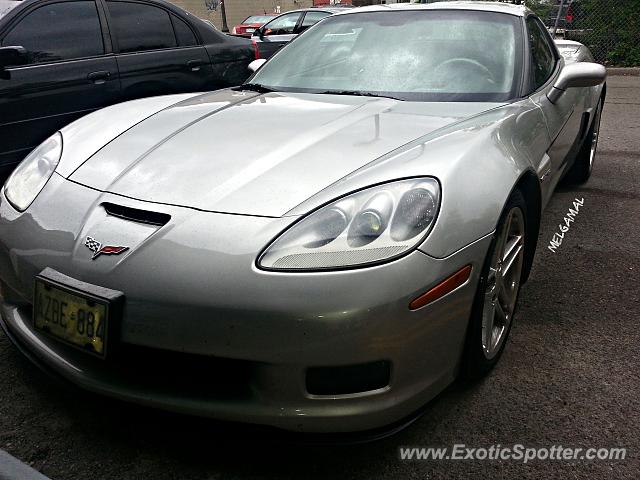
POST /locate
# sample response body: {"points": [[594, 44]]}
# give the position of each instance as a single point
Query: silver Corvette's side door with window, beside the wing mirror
{"points": [[564, 118]]}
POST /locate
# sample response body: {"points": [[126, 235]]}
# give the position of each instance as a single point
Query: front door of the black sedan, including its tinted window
{"points": [[69, 72]]}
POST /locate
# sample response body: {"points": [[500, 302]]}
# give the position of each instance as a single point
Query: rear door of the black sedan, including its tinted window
{"points": [[157, 52]]}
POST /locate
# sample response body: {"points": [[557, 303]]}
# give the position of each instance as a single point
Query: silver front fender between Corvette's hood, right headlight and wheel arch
{"points": [[478, 163]]}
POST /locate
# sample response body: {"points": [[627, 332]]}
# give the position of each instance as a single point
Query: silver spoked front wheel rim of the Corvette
{"points": [[503, 282]]}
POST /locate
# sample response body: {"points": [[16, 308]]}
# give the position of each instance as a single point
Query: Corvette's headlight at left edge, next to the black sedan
{"points": [[32, 174]]}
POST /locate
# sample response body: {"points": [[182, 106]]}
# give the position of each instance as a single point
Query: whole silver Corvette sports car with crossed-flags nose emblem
{"points": [[323, 248]]}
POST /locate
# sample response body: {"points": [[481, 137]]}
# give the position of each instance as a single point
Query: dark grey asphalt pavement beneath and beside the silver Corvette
{"points": [[570, 375]]}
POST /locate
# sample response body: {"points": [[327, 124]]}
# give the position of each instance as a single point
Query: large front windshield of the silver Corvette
{"points": [[441, 55]]}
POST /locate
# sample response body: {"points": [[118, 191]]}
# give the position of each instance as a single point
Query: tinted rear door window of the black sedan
{"points": [[141, 27]]}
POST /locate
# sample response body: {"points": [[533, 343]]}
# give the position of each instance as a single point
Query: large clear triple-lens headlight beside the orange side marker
{"points": [[367, 227]]}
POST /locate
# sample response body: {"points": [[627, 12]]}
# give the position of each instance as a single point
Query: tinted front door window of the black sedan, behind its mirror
{"points": [[59, 31]]}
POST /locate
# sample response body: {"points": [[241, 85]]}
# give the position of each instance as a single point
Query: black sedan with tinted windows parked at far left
{"points": [[61, 59]]}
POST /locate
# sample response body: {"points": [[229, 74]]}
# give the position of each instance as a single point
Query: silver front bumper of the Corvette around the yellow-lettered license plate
{"points": [[205, 332]]}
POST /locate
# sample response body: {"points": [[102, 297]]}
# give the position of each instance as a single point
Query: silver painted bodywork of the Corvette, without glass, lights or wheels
{"points": [[192, 285]]}
